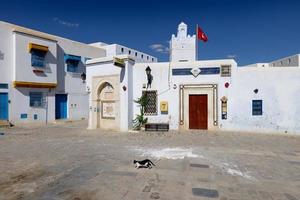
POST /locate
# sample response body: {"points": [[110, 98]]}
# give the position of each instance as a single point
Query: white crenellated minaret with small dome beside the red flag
{"points": [[182, 46]]}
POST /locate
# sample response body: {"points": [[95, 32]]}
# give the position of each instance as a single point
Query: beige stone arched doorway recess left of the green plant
{"points": [[106, 110]]}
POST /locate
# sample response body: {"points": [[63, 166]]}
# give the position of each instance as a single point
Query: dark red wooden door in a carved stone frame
{"points": [[198, 111]]}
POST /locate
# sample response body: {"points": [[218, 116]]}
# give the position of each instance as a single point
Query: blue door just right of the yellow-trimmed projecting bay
{"points": [[61, 106]]}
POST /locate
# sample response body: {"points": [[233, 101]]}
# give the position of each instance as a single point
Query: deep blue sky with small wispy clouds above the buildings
{"points": [[249, 31]]}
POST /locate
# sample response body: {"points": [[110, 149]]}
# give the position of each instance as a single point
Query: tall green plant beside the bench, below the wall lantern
{"points": [[140, 120]]}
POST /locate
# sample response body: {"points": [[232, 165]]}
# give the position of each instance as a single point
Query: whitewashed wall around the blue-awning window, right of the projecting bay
{"points": [[71, 83]]}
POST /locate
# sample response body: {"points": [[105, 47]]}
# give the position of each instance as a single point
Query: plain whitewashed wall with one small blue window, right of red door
{"points": [[279, 88]]}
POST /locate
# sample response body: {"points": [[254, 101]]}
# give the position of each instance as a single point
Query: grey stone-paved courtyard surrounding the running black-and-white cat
{"points": [[66, 161]]}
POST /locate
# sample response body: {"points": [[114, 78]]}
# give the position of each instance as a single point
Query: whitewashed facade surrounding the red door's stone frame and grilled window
{"points": [[166, 91]]}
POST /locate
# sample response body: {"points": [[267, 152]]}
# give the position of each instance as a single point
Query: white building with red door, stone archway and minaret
{"points": [[194, 94]]}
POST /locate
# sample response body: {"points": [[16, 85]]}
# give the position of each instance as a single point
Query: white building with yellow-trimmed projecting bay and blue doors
{"points": [[42, 76]]}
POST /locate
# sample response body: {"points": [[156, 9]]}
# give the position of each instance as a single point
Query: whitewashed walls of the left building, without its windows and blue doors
{"points": [[16, 66]]}
